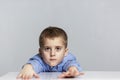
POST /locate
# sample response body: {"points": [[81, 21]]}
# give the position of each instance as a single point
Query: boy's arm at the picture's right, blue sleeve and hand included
{"points": [[72, 68]]}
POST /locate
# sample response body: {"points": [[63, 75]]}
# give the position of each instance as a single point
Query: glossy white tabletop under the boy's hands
{"points": [[89, 75]]}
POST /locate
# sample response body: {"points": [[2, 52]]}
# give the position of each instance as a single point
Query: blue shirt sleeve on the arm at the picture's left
{"points": [[36, 63]]}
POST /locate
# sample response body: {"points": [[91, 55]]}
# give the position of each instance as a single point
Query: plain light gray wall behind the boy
{"points": [[93, 27]]}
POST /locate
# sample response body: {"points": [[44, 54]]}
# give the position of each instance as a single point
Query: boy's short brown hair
{"points": [[52, 32]]}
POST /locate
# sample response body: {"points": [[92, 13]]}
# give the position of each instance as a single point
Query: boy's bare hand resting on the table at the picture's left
{"points": [[27, 72]]}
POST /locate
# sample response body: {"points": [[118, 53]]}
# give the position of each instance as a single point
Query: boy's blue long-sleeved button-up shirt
{"points": [[40, 66]]}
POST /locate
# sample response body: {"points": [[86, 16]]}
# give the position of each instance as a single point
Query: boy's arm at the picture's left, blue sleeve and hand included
{"points": [[31, 68]]}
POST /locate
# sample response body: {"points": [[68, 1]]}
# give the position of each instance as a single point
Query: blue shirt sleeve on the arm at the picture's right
{"points": [[71, 61]]}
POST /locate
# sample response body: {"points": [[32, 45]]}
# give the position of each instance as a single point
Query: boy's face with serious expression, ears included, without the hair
{"points": [[53, 51]]}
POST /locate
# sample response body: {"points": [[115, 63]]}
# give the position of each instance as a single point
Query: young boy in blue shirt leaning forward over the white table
{"points": [[53, 56]]}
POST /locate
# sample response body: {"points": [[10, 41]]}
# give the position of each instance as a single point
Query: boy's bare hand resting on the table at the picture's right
{"points": [[72, 72]]}
